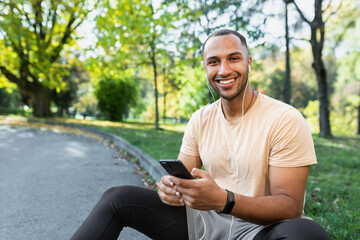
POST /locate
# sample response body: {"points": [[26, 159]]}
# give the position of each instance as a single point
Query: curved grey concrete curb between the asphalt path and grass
{"points": [[151, 165]]}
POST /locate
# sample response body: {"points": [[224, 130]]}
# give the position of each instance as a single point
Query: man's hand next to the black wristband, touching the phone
{"points": [[202, 193]]}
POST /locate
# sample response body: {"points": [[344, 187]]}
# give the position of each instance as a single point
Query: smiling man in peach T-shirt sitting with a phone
{"points": [[256, 153]]}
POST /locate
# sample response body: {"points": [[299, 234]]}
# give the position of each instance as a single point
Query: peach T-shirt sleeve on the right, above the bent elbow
{"points": [[292, 144]]}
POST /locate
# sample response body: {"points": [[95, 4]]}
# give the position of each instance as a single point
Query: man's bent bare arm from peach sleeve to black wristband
{"points": [[287, 186]]}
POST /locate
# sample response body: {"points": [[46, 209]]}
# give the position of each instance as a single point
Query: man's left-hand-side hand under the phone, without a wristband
{"points": [[168, 194]]}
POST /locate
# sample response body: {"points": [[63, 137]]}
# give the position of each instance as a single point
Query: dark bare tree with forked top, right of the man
{"points": [[317, 38]]}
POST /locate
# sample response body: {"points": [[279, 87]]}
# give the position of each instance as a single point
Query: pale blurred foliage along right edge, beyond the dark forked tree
{"points": [[347, 95]]}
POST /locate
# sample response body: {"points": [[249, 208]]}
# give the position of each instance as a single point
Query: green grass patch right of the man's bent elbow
{"points": [[333, 188]]}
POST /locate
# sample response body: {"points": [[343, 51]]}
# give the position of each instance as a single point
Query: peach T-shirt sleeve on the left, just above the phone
{"points": [[189, 144]]}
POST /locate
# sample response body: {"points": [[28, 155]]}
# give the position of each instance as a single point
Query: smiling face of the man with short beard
{"points": [[226, 64]]}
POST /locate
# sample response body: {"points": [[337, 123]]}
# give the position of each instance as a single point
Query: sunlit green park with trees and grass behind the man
{"points": [[134, 68]]}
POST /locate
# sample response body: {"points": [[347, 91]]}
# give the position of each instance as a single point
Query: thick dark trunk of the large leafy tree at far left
{"points": [[41, 101]]}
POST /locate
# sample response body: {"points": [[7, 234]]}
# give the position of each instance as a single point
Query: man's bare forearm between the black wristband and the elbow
{"points": [[266, 210]]}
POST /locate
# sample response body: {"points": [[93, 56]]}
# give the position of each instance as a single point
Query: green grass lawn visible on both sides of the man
{"points": [[333, 187]]}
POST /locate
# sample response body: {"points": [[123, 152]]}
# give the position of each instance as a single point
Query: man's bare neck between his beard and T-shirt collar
{"points": [[233, 109]]}
